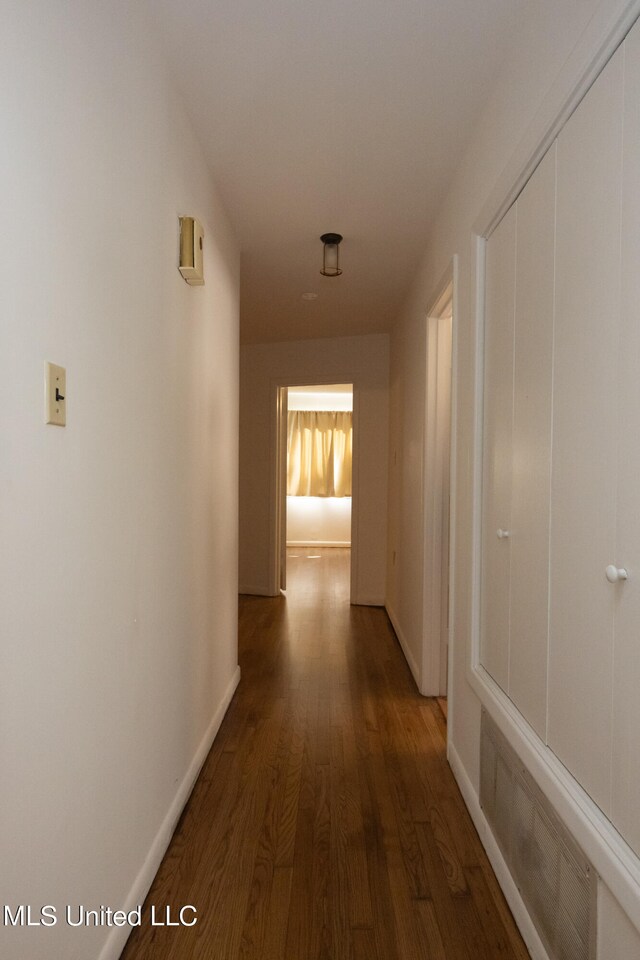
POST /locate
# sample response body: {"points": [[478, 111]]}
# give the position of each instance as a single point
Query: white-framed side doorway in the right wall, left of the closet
{"points": [[437, 494]]}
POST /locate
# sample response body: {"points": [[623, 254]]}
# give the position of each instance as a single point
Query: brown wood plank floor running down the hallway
{"points": [[326, 823]]}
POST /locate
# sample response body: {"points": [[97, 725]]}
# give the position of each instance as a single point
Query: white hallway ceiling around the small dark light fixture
{"points": [[345, 116]]}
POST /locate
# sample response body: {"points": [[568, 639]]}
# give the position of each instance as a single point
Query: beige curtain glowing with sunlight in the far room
{"points": [[319, 453]]}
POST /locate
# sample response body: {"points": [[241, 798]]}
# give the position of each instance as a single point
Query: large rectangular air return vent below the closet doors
{"points": [[556, 882]]}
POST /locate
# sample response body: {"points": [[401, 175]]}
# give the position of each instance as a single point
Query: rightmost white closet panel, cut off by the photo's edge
{"points": [[626, 695]]}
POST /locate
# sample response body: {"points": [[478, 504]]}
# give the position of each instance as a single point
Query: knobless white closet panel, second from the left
{"points": [[533, 357]]}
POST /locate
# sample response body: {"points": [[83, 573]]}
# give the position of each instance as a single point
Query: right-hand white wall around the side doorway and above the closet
{"points": [[541, 62]]}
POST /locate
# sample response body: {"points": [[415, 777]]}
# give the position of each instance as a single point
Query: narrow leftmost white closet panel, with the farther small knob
{"points": [[498, 424]]}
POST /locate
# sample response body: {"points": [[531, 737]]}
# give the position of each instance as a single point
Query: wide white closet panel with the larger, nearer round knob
{"points": [[585, 424]]}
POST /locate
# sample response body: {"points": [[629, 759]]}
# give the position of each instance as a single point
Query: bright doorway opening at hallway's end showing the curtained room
{"points": [[315, 444]]}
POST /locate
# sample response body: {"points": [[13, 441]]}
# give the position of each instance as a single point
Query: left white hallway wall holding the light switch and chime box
{"points": [[118, 608]]}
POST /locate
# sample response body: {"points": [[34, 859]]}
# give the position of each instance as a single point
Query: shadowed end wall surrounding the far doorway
{"points": [[362, 361]]}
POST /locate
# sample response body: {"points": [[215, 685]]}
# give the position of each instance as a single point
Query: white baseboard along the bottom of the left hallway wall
{"points": [[118, 936]]}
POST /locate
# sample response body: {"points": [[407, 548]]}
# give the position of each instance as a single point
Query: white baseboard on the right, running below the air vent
{"points": [[510, 890]]}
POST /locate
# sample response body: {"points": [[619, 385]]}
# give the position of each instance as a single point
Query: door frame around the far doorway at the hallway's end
{"points": [[278, 482]]}
